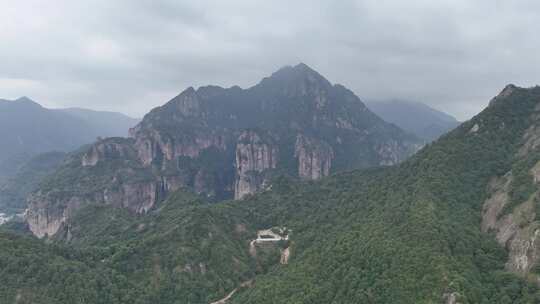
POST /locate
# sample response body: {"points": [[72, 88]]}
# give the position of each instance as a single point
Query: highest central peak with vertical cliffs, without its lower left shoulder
{"points": [[294, 122]]}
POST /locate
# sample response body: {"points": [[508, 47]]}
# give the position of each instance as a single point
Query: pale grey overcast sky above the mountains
{"points": [[131, 56]]}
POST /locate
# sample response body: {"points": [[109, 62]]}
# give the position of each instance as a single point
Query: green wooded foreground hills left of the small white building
{"points": [[188, 251]]}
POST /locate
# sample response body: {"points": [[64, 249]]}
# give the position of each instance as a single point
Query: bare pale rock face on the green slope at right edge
{"points": [[511, 210]]}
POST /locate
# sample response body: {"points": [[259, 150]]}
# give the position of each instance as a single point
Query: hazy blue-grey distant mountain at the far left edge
{"points": [[27, 129]]}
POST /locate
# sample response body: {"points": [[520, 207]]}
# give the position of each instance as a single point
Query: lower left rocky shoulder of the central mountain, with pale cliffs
{"points": [[107, 173]]}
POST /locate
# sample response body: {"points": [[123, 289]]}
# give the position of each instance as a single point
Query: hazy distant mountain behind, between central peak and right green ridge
{"points": [[415, 117]]}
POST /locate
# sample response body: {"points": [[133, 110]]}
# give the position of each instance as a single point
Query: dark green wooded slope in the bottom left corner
{"points": [[33, 272]]}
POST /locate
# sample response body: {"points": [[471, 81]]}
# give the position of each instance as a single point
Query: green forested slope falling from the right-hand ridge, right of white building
{"points": [[412, 234]]}
